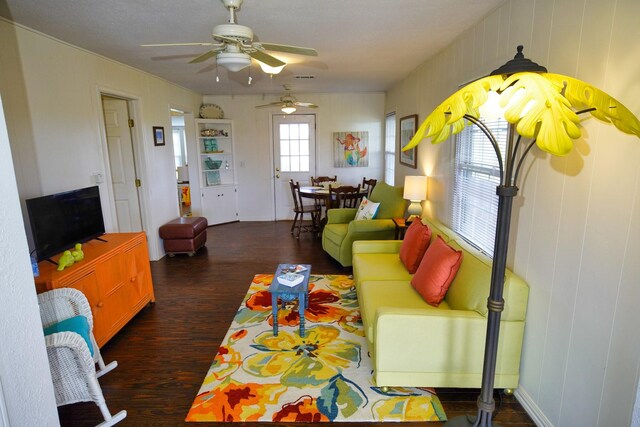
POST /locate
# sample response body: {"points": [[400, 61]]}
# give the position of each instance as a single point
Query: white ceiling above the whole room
{"points": [[363, 45]]}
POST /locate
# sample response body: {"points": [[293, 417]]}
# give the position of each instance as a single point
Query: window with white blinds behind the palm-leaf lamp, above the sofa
{"points": [[475, 203]]}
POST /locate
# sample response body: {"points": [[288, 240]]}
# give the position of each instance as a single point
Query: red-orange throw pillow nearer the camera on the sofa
{"points": [[437, 270]]}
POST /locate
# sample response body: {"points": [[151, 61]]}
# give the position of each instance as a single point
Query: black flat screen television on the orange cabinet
{"points": [[59, 221]]}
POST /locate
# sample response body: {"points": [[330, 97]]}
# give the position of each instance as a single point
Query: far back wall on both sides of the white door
{"points": [[254, 149]]}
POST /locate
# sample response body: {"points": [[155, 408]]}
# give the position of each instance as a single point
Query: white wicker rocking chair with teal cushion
{"points": [[73, 369]]}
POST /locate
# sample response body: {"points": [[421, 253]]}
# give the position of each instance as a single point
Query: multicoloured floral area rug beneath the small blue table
{"points": [[324, 376]]}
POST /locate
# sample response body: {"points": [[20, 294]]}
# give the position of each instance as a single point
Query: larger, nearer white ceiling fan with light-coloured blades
{"points": [[234, 46]]}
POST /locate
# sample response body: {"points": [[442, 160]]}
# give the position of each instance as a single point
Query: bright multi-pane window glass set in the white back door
{"points": [[294, 147]]}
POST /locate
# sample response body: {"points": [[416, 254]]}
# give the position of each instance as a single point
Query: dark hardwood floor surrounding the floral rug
{"points": [[164, 353]]}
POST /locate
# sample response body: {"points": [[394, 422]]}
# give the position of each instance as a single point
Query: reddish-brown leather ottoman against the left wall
{"points": [[184, 235]]}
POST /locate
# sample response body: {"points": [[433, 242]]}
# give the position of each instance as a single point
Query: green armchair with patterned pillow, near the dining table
{"points": [[342, 229]]}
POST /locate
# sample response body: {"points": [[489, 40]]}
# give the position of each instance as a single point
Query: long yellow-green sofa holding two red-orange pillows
{"points": [[414, 344]]}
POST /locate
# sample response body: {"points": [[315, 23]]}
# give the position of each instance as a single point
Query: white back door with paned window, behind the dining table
{"points": [[294, 156]]}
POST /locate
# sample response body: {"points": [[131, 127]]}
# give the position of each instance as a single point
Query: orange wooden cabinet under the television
{"points": [[114, 275]]}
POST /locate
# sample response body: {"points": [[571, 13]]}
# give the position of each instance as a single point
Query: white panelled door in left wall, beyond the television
{"points": [[122, 164]]}
